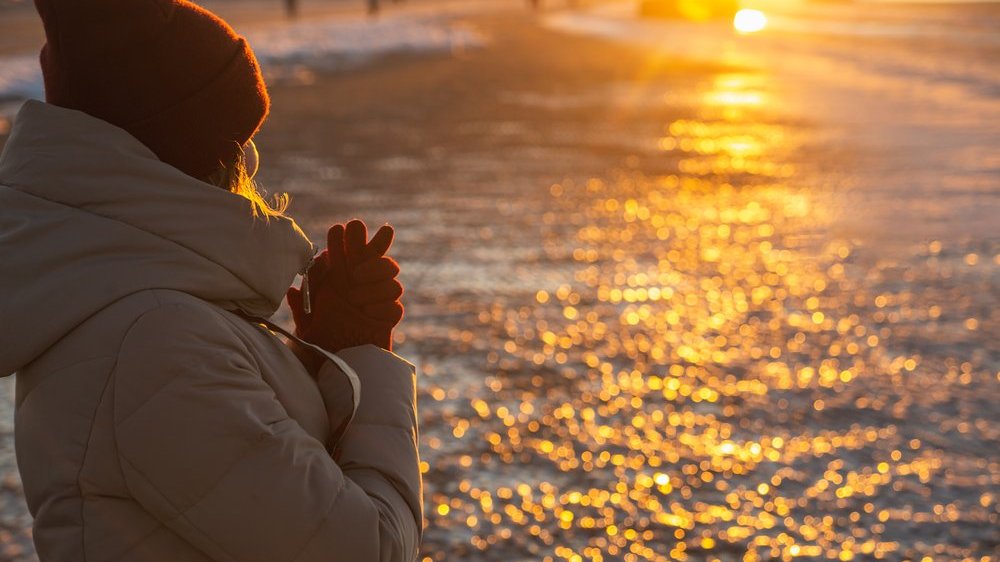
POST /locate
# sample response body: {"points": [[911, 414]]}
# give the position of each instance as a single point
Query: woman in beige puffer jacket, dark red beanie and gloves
{"points": [[158, 415]]}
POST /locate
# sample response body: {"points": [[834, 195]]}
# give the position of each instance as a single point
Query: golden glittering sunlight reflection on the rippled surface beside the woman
{"points": [[721, 379]]}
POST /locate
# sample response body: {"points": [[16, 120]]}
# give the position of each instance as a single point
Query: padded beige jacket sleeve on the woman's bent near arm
{"points": [[209, 451]]}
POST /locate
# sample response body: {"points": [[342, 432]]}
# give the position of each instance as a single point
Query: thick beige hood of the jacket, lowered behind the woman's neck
{"points": [[89, 215]]}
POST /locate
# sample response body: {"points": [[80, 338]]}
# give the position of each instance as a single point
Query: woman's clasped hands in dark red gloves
{"points": [[353, 289]]}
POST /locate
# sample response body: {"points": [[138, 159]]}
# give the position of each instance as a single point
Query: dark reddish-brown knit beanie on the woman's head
{"points": [[171, 73]]}
